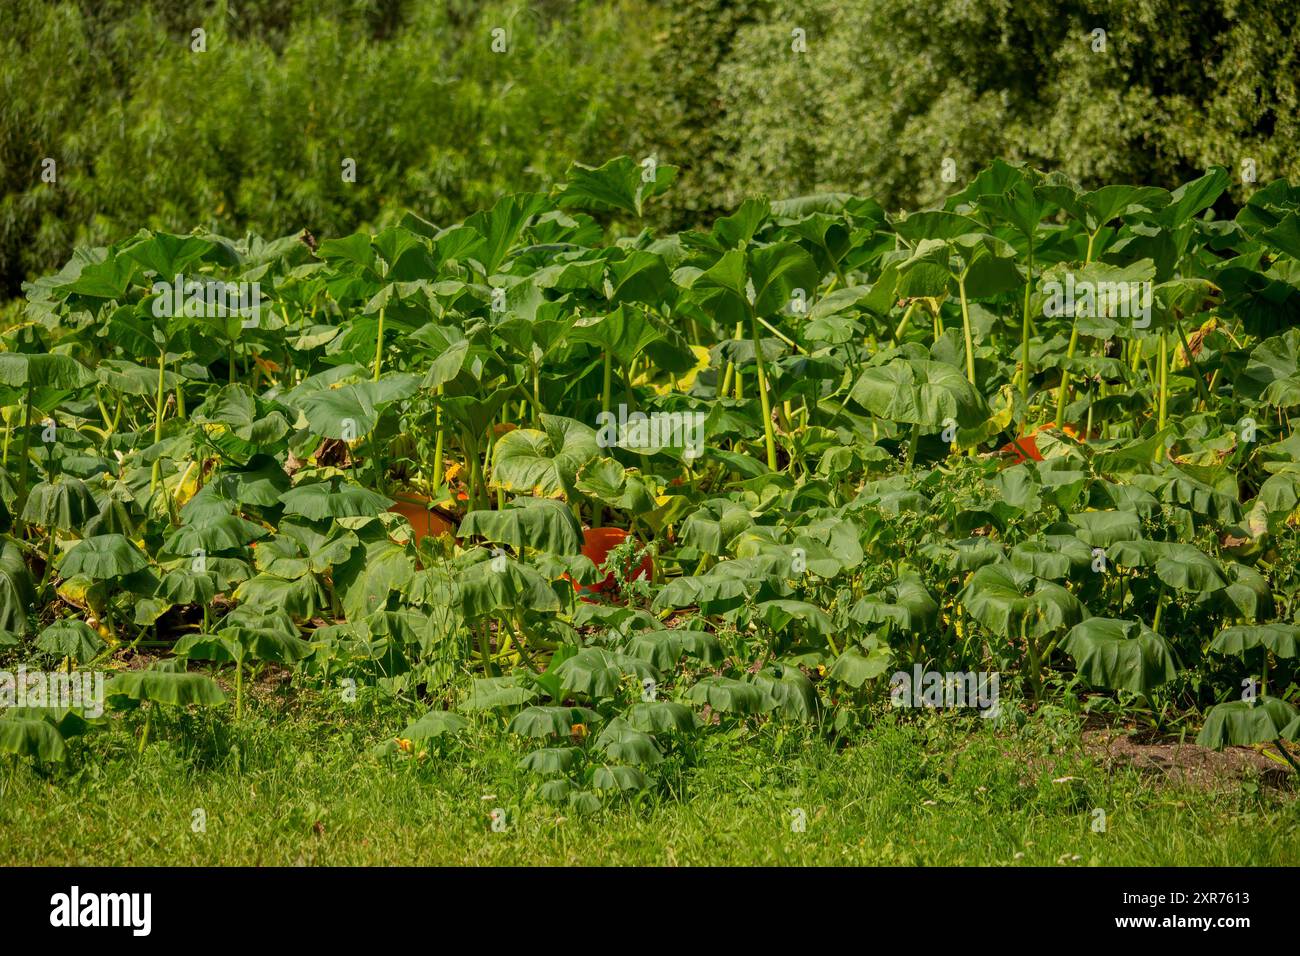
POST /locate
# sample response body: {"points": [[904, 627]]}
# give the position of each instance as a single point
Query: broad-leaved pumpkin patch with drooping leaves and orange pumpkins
{"points": [[891, 447]]}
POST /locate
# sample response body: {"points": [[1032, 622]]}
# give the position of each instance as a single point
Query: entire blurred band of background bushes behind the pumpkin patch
{"points": [[896, 100]]}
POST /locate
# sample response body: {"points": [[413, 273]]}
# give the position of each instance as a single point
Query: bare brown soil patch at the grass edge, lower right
{"points": [[1189, 764]]}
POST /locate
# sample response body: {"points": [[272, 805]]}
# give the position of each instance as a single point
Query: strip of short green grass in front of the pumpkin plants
{"points": [[304, 788]]}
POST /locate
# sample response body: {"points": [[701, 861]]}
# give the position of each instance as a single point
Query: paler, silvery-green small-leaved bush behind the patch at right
{"points": [[887, 90]]}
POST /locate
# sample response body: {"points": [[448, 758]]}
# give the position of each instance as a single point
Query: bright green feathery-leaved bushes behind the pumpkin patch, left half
{"points": [[253, 133]]}
